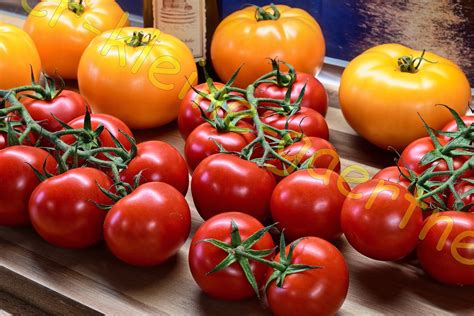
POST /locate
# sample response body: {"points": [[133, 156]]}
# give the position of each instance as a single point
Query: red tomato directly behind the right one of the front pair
{"points": [[308, 203]]}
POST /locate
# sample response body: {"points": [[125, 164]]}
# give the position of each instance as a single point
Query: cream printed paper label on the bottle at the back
{"points": [[184, 19]]}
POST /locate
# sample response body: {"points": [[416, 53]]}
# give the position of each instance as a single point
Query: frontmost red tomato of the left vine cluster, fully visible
{"points": [[148, 226]]}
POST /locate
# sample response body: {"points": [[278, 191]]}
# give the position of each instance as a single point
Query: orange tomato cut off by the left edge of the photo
{"points": [[17, 54]]}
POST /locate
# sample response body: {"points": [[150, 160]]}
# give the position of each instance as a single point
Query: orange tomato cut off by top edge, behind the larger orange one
{"points": [[62, 29]]}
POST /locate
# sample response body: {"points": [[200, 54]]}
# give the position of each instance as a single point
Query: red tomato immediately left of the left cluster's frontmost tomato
{"points": [[62, 208]]}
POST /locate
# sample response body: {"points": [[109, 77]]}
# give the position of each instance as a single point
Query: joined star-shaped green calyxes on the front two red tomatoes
{"points": [[241, 252]]}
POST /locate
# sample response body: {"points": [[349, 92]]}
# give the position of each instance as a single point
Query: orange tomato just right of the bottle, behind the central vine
{"points": [[250, 36]]}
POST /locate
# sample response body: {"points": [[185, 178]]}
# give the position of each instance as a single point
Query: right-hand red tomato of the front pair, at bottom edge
{"points": [[313, 292]]}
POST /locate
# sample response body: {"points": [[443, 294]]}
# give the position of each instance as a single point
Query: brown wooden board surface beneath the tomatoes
{"points": [[91, 281]]}
